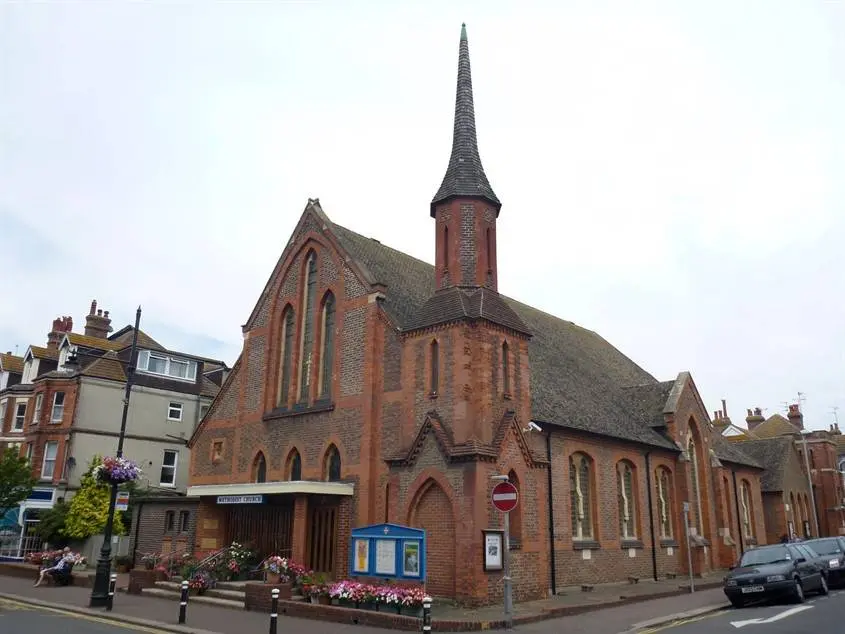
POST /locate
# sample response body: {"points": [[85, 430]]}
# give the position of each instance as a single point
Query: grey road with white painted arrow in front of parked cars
{"points": [[817, 614]]}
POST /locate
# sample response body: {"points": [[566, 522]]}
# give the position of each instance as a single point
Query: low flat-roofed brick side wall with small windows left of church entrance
{"points": [[152, 534]]}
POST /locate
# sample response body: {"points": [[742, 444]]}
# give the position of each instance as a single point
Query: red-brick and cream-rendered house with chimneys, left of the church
{"points": [[68, 404]]}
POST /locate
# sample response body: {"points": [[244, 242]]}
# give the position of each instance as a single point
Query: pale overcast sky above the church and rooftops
{"points": [[671, 173]]}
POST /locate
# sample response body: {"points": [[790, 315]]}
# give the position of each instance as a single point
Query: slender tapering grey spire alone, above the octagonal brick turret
{"points": [[465, 175]]}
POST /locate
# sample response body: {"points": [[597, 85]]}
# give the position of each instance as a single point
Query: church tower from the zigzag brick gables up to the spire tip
{"points": [[474, 344]]}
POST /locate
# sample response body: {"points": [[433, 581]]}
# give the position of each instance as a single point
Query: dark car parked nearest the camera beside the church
{"points": [[775, 572]]}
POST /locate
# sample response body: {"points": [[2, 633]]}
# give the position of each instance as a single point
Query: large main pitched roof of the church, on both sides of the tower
{"points": [[577, 378]]}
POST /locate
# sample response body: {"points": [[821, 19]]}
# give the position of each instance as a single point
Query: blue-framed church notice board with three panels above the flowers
{"points": [[388, 550]]}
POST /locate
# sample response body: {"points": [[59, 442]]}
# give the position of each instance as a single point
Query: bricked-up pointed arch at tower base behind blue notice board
{"points": [[432, 511]]}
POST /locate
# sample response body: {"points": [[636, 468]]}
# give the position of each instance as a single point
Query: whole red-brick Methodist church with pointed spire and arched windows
{"points": [[374, 387]]}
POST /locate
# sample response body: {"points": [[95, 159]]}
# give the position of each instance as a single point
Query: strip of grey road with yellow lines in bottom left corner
{"points": [[17, 618]]}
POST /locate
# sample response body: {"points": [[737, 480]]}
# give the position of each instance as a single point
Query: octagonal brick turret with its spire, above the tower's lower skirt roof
{"points": [[465, 207]]}
